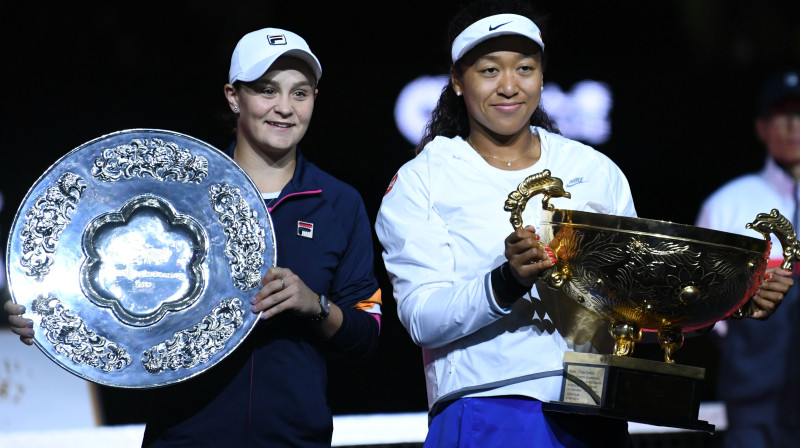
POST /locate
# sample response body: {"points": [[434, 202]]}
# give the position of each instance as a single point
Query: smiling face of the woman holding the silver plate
{"points": [[275, 110]]}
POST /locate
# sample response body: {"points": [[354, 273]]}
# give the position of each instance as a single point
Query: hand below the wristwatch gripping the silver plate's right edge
{"points": [[282, 290]]}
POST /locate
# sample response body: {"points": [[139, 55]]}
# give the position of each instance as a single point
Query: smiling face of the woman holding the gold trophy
{"points": [[501, 82]]}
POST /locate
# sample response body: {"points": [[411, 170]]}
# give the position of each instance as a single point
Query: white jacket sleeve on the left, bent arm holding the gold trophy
{"points": [[433, 305]]}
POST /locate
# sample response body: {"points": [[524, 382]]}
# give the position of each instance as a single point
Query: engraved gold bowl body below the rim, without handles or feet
{"points": [[641, 279]]}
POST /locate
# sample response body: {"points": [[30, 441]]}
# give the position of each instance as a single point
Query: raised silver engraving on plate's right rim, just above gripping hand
{"points": [[244, 244]]}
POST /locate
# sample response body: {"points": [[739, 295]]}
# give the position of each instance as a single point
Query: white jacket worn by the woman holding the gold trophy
{"points": [[442, 227]]}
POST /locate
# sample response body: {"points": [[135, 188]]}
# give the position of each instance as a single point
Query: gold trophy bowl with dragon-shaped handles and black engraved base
{"points": [[646, 275]]}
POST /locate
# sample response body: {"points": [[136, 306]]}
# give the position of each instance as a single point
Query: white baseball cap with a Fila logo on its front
{"points": [[258, 50]]}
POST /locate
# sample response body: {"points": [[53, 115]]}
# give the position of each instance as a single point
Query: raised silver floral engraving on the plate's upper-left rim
{"points": [[45, 221]]}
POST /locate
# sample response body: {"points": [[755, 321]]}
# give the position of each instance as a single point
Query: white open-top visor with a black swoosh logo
{"points": [[493, 26]]}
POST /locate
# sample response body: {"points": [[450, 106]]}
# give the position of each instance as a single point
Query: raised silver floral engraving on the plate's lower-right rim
{"points": [[198, 344]]}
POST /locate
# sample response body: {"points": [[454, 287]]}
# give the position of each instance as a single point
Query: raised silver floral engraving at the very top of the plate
{"points": [[164, 161]]}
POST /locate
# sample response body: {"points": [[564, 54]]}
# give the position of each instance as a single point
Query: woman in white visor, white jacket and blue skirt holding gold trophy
{"points": [[493, 344]]}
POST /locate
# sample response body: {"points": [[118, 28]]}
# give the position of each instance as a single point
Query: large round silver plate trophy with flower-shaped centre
{"points": [[136, 255]]}
